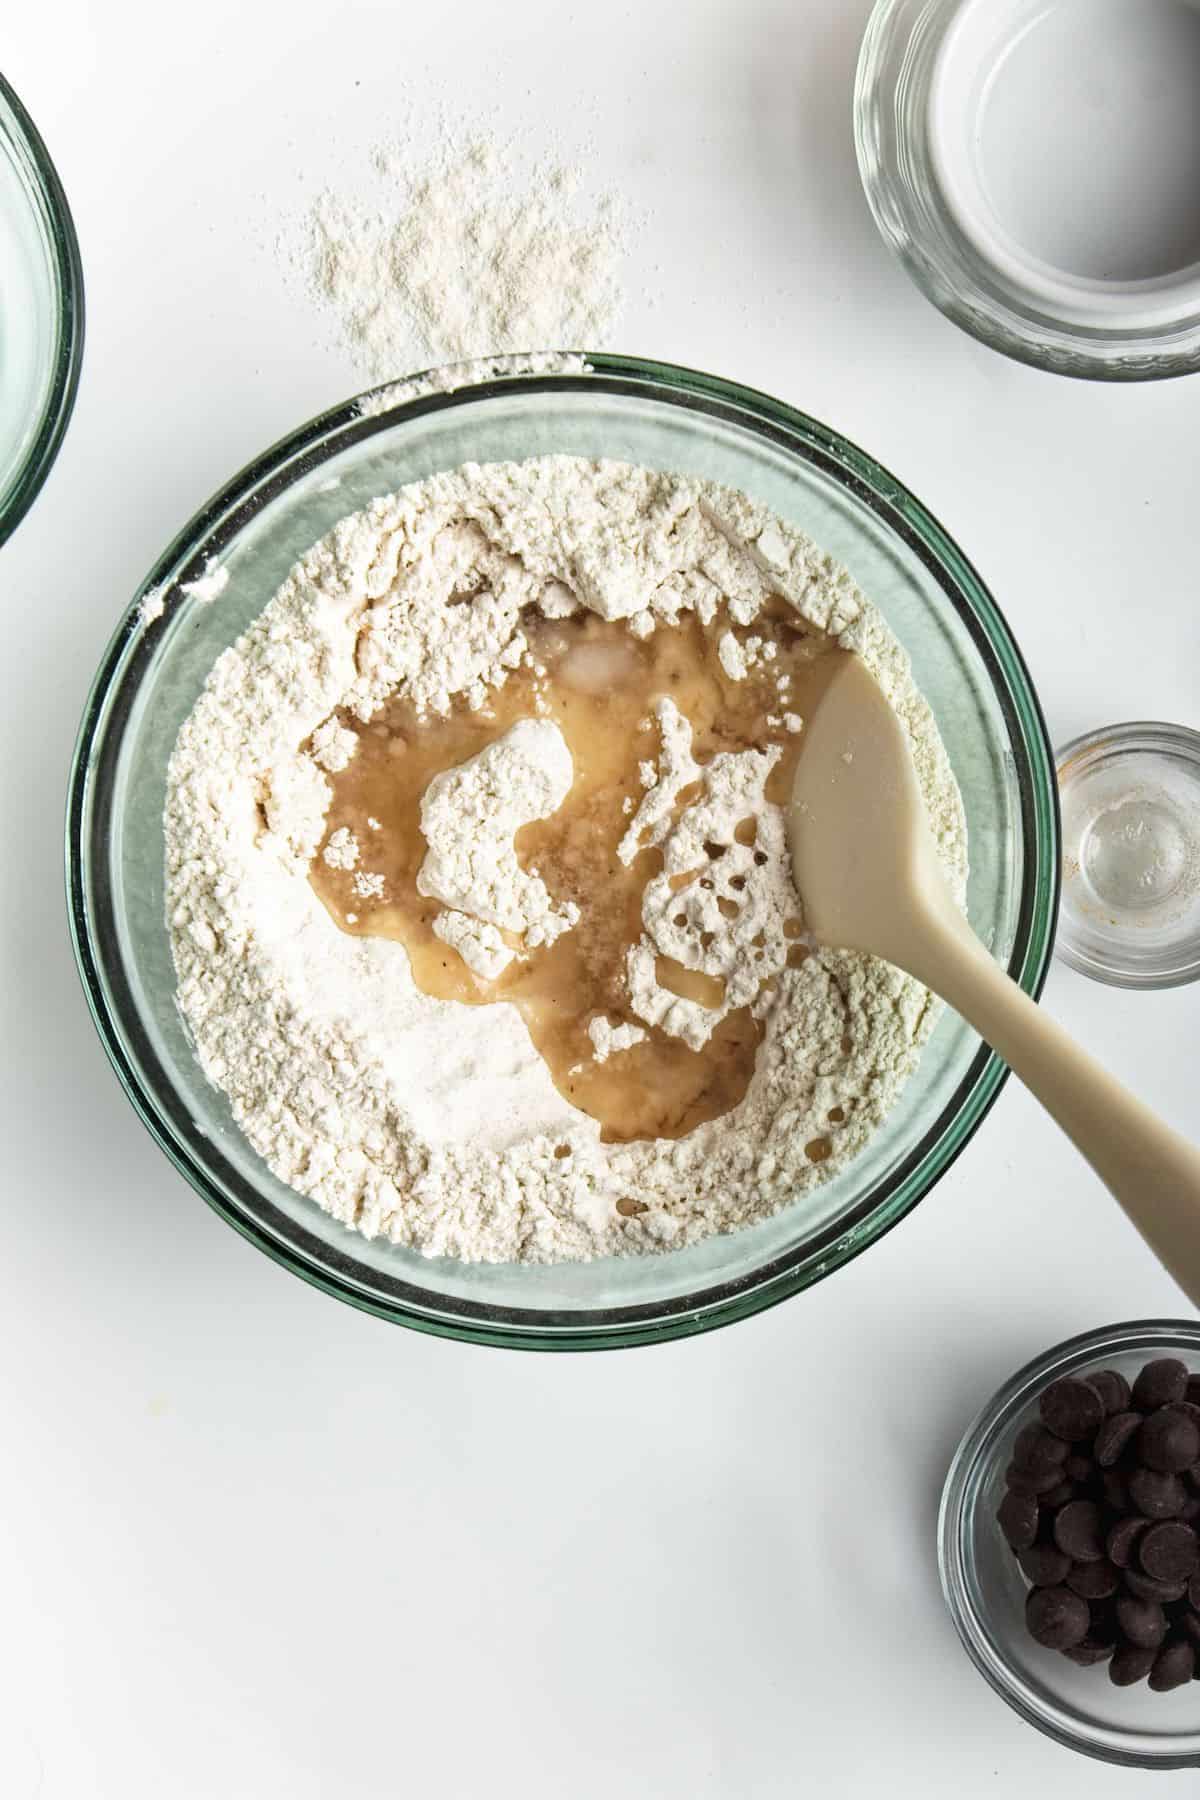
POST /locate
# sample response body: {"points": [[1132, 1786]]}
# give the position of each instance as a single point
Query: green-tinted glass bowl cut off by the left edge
{"points": [[40, 312]]}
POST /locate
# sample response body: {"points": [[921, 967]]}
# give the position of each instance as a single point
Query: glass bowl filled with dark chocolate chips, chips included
{"points": [[1070, 1543]]}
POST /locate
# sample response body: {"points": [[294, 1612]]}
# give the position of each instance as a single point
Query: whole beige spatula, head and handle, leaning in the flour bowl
{"points": [[868, 874]]}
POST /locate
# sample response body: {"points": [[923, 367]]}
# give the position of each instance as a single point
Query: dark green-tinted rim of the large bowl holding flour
{"points": [[891, 503]]}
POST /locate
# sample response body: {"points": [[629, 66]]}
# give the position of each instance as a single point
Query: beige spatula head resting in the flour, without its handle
{"points": [[863, 850]]}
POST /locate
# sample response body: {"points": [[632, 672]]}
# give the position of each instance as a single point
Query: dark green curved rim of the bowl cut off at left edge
{"points": [[71, 316]]}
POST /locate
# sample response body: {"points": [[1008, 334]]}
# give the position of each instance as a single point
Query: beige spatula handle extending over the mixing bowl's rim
{"points": [[1151, 1171]]}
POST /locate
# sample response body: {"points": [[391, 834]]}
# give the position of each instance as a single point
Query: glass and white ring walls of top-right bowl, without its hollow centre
{"points": [[933, 210]]}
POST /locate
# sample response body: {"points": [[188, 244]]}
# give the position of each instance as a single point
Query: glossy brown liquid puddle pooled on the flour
{"points": [[598, 685]]}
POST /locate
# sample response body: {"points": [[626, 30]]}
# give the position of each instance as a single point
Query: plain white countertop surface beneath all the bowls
{"points": [[258, 1545]]}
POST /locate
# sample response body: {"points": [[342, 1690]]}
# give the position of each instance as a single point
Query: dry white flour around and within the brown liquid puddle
{"points": [[438, 1124]]}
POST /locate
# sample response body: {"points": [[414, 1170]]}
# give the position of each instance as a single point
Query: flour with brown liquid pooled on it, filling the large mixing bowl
{"points": [[478, 877]]}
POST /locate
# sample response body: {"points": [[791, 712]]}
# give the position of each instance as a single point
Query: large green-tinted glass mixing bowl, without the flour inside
{"points": [[667, 418]]}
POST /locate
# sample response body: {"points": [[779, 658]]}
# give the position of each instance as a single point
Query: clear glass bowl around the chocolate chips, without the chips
{"points": [[987, 1592]]}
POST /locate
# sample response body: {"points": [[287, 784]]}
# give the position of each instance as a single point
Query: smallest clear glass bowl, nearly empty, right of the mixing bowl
{"points": [[1131, 805]]}
